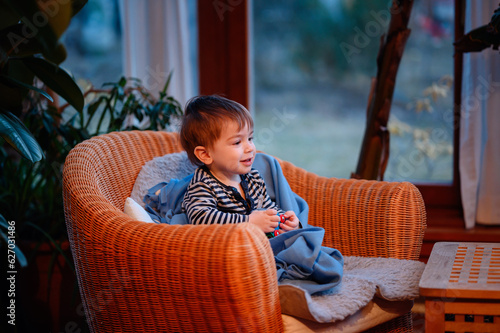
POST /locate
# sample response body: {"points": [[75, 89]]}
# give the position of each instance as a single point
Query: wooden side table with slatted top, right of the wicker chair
{"points": [[461, 286]]}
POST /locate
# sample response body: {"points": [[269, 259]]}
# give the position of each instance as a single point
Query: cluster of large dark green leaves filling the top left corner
{"points": [[28, 29]]}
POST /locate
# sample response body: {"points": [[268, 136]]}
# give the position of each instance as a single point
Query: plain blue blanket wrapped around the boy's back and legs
{"points": [[300, 258]]}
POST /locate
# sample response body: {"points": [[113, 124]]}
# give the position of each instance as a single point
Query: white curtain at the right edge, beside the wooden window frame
{"points": [[479, 125]]}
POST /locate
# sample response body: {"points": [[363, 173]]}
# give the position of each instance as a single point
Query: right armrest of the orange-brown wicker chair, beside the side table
{"points": [[363, 217]]}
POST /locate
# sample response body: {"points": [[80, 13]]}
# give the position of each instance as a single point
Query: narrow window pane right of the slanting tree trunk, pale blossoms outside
{"points": [[421, 120]]}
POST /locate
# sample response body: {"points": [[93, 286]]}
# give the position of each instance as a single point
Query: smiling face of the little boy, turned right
{"points": [[232, 154]]}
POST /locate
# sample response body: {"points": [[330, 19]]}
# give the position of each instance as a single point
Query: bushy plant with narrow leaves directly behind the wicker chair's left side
{"points": [[32, 192]]}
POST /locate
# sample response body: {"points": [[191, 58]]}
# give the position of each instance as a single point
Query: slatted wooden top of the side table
{"points": [[462, 270]]}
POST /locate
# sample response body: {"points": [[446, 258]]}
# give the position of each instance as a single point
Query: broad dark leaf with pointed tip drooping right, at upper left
{"points": [[56, 79]]}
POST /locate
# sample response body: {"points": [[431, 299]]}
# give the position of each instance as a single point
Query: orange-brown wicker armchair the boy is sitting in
{"points": [[144, 277]]}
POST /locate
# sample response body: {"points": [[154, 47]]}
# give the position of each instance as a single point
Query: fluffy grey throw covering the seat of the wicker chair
{"points": [[364, 278]]}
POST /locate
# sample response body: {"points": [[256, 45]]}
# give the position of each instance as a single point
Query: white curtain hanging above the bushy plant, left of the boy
{"points": [[156, 41]]}
